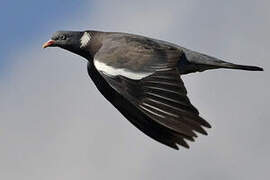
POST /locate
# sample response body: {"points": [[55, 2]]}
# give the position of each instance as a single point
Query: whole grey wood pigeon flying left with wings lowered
{"points": [[141, 77]]}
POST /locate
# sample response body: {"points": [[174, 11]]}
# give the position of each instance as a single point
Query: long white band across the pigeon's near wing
{"points": [[111, 71]]}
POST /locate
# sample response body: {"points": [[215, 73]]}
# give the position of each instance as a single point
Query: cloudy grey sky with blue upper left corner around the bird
{"points": [[54, 124]]}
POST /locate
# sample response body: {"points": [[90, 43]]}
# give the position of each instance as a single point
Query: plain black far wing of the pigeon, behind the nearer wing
{"points": [[133, 114]]}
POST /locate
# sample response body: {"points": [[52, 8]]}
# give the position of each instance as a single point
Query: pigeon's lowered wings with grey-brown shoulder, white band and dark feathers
{"points": [[144, 77]]}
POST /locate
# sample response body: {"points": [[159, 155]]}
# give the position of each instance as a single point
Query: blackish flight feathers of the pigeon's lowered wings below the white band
{"points": [[154, 115]]}
